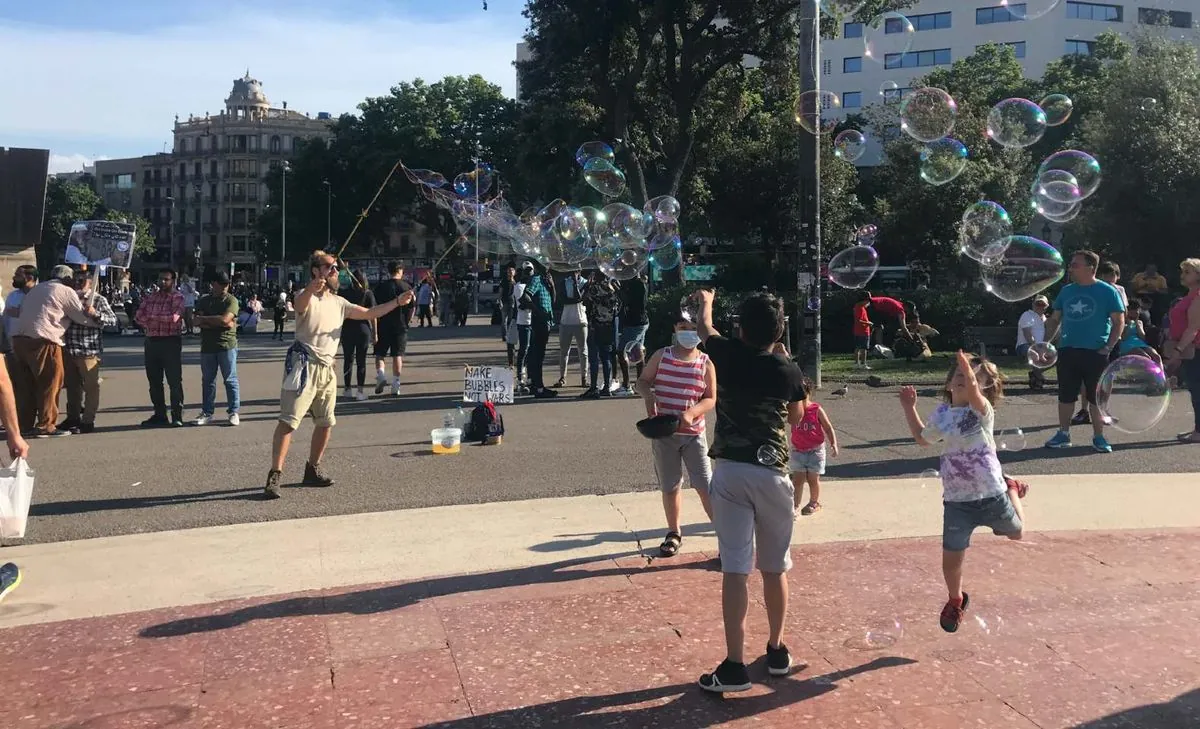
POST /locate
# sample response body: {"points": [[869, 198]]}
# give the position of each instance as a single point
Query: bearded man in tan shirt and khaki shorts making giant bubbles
{"points": [[310, 384]]}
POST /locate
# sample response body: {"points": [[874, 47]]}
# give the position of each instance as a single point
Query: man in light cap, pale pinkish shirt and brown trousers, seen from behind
{"points": [[38, 350]]}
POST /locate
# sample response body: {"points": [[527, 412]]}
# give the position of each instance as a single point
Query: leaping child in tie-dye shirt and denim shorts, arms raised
{"points": [[975, 492]]}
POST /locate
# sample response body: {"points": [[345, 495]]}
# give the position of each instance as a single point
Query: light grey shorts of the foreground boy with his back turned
{"points": [[753, 507]]}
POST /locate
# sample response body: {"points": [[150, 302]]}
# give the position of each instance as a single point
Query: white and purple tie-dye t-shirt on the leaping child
{"points": [[970, 467]]}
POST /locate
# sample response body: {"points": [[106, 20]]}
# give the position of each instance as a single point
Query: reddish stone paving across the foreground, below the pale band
{"points": [[1087, 631]]}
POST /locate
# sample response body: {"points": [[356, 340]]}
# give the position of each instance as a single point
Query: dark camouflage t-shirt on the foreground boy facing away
{"points": [[754, 389]]}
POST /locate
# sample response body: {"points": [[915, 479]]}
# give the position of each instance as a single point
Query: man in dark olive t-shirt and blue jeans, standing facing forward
{"points": [[217, 315]]}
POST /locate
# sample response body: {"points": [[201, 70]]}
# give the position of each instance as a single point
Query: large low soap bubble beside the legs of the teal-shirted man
{"points": [[1133, 393]]}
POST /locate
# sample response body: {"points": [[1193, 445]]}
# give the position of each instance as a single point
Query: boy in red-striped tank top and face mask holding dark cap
{"points": [[681, 381]]}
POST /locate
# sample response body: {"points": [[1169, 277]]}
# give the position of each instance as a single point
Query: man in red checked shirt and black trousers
{"points": [[161, 316]]}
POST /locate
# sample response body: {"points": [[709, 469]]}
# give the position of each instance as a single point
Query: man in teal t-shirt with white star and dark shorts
{"points": [[1090, 316]]}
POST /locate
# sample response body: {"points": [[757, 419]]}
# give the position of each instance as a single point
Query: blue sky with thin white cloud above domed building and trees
{"points": [[93, 80]]}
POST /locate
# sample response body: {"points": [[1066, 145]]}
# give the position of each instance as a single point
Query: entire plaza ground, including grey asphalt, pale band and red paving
{"points": [[519, 587]]}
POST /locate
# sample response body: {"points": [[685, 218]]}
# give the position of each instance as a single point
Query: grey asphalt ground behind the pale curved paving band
{"points": [[124, 480]]}
